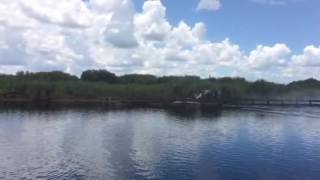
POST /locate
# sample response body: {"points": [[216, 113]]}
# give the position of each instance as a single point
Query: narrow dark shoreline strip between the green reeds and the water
{"points": [[118, 103]]}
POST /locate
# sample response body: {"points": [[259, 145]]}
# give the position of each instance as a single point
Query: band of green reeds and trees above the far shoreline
{"points": [[95, 84]]}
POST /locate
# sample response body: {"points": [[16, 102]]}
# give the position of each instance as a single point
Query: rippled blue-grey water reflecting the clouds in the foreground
{"points": [[261, 143]]}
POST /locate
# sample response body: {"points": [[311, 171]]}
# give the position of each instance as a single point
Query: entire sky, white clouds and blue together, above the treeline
{"points": [[276, 40]]}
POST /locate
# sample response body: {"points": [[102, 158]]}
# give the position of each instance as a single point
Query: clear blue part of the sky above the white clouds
{"points": [[249, 24]]}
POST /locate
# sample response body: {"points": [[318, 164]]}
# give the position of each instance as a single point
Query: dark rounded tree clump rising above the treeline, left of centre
{"points": [[99, 75]]}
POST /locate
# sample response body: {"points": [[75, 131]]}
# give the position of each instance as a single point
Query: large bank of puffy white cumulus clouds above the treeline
{"points": [[77, 35]]}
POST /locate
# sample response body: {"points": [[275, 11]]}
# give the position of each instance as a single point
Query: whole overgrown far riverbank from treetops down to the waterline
{"points": [[151, 91]]}
